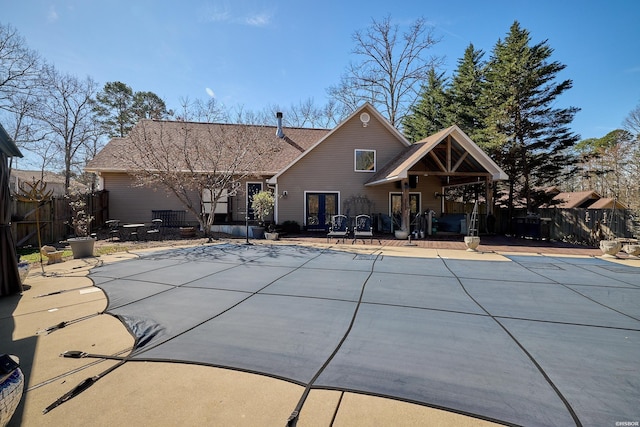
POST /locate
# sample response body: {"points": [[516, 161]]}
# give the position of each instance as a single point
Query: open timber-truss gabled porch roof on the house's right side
{"points": [[469, 158]]}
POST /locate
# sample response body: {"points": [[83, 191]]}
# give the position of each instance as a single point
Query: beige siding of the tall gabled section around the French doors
{"points": [[329, 167]]}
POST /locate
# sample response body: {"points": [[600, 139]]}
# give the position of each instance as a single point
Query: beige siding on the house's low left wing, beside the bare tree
{"points": [[131, 204]]}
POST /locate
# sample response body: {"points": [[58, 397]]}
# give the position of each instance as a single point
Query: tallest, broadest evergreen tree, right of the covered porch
{"points": [[526, 134]]}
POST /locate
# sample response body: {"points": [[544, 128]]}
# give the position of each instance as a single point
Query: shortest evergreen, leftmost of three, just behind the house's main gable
{"points": [[429, 114]]}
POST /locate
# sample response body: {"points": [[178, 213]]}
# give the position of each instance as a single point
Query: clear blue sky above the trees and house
{"points": [[265, 52]]}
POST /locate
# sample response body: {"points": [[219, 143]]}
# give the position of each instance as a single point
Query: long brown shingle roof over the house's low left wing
{"points": [[296, 140]]}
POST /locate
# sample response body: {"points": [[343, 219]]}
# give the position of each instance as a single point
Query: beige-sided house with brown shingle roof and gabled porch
{"points": [[363, 165]]}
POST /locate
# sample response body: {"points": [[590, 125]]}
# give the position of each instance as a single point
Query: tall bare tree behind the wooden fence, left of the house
{"points": [[68, 111]]}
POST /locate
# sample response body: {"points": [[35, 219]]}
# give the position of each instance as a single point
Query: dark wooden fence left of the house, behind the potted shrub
{"points": [[53, 217]]}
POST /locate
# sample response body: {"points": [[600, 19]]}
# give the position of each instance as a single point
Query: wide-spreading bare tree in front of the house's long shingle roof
{"points": [[198, 163]]}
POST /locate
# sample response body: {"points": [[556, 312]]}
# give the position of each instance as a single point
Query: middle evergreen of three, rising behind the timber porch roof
{"points": [[464, 93]]}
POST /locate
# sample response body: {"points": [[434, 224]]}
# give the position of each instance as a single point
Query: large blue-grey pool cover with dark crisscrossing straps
{"points": [[535, 340]]}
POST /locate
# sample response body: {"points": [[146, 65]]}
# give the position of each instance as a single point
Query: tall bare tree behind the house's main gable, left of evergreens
{"points": [[391, 68]]}
